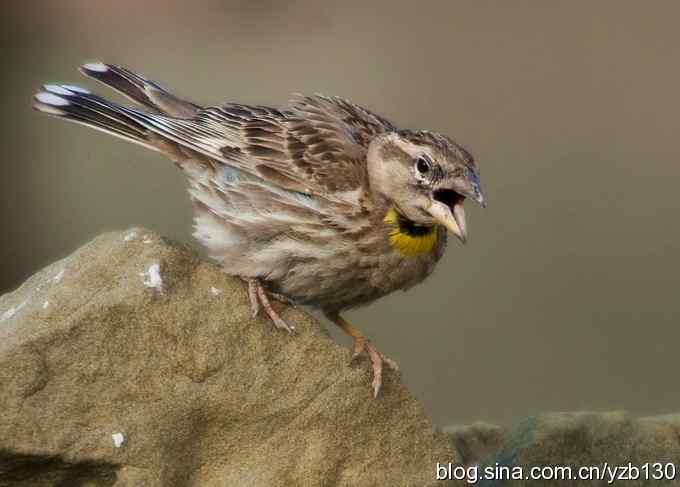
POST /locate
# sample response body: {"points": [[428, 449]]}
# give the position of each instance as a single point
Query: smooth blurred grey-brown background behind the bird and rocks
{"points": [[566, 296]]}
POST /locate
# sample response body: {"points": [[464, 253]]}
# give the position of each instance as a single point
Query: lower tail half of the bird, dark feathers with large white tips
{"points": [[78, 105]]}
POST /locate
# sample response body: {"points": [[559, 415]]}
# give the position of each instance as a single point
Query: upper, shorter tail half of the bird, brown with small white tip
{"points": [[139, 89]]}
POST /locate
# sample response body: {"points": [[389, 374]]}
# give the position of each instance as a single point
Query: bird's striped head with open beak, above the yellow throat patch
{"points": [[426, 176]]}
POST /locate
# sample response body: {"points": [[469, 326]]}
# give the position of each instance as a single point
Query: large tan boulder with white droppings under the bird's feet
{"points": [[133, 362]]}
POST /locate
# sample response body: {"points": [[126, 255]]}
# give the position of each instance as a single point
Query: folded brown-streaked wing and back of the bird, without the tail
{"points": [[317, 146]]}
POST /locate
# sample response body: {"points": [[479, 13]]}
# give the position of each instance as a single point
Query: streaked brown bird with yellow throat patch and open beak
{"points": [[321, 203]]}
